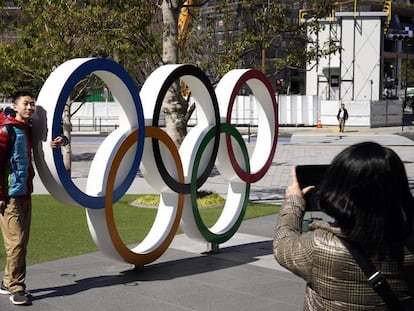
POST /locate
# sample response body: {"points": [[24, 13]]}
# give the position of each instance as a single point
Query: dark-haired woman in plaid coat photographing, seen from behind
{"points": [[366, 192]]}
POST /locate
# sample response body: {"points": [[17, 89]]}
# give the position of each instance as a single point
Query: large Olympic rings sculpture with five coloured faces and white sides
{"points": [[139, 143]]}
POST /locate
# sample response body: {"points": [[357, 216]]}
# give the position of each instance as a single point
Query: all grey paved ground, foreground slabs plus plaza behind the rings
{"points": [[242, 276]]}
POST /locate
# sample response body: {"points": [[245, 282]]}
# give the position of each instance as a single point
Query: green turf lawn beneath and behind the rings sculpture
{"points": [[60, 231]]}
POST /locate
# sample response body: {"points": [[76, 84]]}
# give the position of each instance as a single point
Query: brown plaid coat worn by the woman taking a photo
{"points": [[334, 280]]}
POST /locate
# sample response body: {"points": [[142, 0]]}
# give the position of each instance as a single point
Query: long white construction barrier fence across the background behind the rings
{"points": [[294, 110]]}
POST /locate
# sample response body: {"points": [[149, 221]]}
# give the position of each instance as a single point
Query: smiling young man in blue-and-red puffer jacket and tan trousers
{"points": [[16, 186]]}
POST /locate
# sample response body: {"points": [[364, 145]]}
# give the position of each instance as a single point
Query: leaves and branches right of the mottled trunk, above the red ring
{"points": [[234, 34]]}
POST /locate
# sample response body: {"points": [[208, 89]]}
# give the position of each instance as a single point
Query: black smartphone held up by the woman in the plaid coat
{"points": [[311, 175]]}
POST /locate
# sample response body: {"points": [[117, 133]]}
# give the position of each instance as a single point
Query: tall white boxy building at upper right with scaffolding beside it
{"points": [[369, 74]]}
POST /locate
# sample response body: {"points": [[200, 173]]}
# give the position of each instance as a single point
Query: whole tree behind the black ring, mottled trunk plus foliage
{"points": [[234, 34]]}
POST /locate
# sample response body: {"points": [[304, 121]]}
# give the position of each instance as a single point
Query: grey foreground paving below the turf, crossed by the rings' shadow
{"points": [[243, 276]]}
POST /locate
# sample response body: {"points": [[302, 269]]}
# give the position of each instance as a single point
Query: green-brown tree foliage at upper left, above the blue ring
{"points": [[52, 32]]}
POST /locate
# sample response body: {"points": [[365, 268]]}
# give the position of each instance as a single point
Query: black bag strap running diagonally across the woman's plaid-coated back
{"points": [[378, 282]]}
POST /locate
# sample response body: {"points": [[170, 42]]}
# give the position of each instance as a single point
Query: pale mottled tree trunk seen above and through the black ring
{"points": [[174, 106]]}
